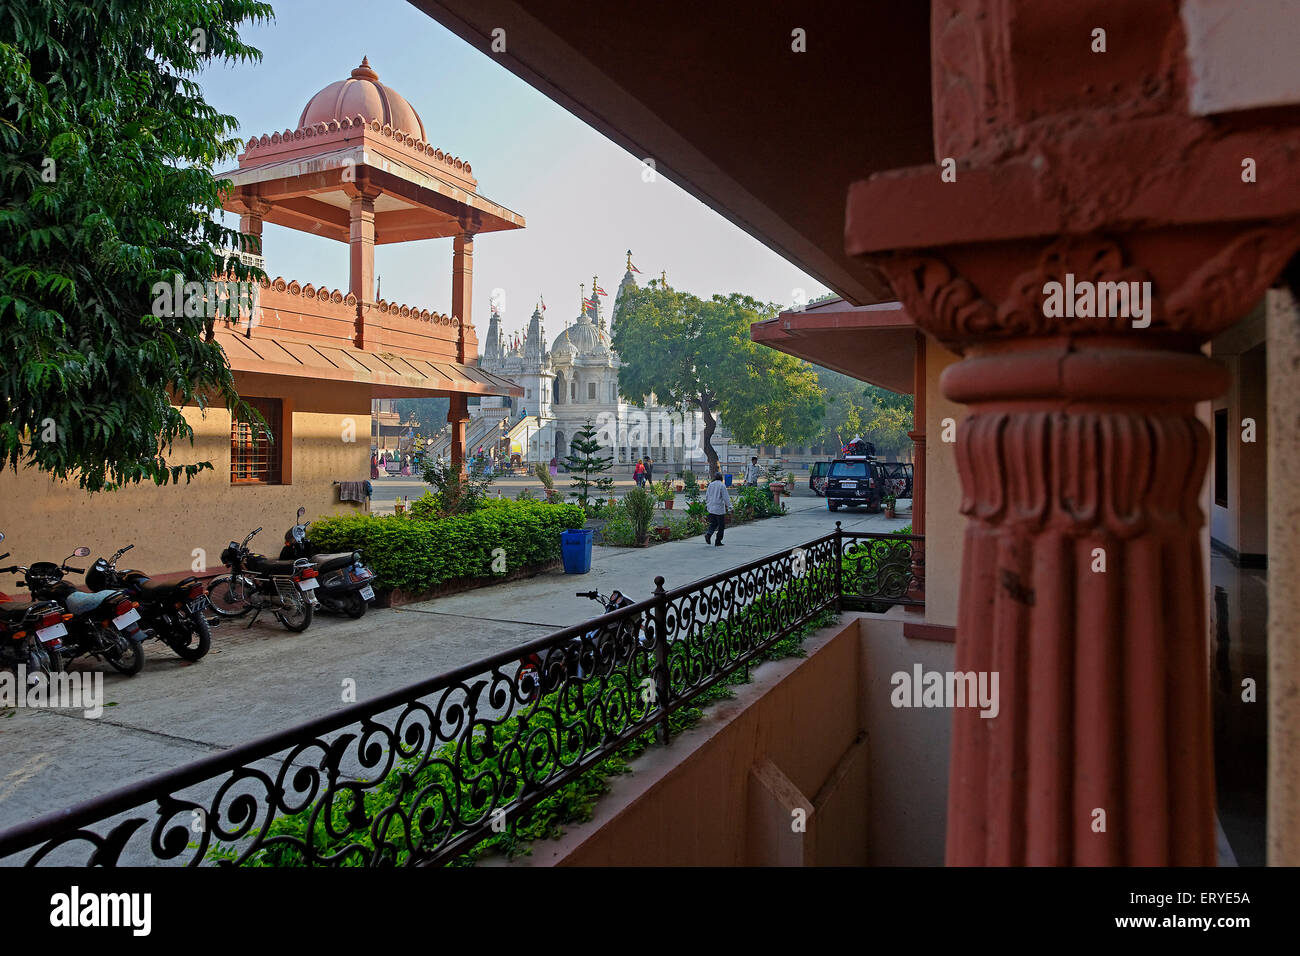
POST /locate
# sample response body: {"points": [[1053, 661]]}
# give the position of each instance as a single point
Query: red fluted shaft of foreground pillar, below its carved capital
{"points": [[1082, 465]]}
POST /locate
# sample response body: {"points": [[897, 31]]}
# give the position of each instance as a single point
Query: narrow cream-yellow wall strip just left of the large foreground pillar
{"points": [[946, 526]]}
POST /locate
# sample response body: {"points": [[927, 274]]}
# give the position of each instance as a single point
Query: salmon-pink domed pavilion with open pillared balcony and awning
{"points": [[359, 168]]}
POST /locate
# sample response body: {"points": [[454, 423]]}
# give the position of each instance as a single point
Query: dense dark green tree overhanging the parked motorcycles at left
{"points": [[107, 150]]}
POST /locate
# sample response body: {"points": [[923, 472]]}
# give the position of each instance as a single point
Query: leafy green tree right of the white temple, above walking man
{"points": [[699, 354]]}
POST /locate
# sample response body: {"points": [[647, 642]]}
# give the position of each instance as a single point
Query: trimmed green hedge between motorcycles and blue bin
{"points": [[417, 555]]}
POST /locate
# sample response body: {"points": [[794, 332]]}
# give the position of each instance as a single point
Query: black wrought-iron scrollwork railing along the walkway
{"points": [[423, 775]]}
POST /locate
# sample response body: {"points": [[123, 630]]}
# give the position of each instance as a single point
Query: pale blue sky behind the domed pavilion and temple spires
{"points": [[583, 197]]}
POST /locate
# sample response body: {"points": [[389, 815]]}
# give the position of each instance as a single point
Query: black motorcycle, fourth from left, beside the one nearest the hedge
{"points": [[258, 583]]}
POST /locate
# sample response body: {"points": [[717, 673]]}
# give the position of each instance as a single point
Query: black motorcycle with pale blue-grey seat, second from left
{"points": [[105, 625]]}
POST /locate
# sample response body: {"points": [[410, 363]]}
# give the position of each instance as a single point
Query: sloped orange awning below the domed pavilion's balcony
{"points": [[388, 375]]}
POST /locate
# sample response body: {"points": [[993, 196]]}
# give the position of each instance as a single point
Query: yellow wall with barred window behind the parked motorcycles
{"points": [[45, 521]]}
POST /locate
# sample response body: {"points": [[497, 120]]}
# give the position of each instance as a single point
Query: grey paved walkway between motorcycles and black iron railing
{"points": [[261, 680]]}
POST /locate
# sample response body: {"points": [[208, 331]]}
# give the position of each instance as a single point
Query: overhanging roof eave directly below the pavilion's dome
{"points": [[489, 217]]}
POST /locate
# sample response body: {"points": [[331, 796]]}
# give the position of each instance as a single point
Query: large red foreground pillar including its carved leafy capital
{"points": [[1078, 239]]}
